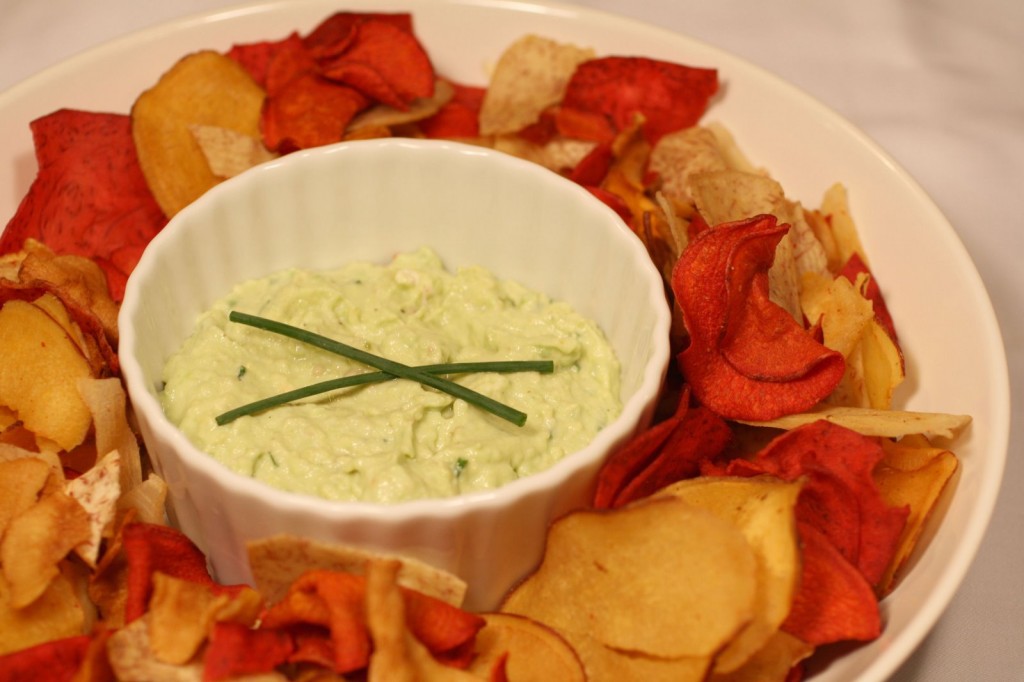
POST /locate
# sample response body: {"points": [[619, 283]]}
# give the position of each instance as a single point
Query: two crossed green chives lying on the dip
{"points": [[429, 375]]}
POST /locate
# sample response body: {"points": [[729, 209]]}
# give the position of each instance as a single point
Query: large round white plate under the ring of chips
{"points": [[956, 357]]}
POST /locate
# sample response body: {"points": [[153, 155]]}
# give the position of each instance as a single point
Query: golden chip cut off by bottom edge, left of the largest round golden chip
{"points": [[536, 653]]}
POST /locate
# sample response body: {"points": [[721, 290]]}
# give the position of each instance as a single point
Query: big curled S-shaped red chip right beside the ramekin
{"points": [[748, 359]]}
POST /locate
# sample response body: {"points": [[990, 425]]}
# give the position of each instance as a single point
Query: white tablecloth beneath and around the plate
{"points": [[938, 83]]}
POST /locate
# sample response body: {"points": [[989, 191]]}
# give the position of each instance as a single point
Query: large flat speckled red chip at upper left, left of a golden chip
{"points": [[90, 198]]}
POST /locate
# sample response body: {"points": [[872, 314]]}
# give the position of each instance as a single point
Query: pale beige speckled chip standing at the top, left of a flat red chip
{"points": [[531, 75]]}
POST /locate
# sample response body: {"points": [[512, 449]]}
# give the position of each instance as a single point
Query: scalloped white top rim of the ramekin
{"points": [[634, 410]]}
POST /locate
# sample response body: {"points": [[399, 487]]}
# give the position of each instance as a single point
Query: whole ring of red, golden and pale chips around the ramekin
{"points": [[776, 500]]}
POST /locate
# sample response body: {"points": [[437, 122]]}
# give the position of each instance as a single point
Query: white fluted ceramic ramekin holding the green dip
{"points": [[367, 201]]}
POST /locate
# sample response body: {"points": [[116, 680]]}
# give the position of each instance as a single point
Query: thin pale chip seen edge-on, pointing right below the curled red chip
{"points": [[871, 422]]}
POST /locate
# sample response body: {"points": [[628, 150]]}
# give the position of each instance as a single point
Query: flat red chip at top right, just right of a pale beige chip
{"points": [[669, 97]]}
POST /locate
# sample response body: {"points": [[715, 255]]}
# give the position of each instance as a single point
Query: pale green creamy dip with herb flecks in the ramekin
{"points": [[396, 441]]}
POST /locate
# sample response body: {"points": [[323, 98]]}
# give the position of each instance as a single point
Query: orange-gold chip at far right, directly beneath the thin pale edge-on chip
{"points": [[914, 476]]}
